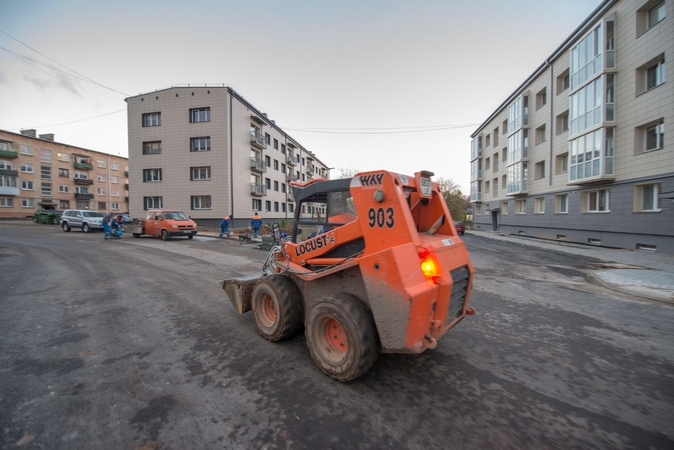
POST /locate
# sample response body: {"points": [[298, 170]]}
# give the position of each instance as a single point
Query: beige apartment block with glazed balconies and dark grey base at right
{"points": [[578, 152]]}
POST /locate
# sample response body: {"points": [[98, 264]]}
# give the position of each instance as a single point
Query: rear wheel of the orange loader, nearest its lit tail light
{"points": [[341, 336]]}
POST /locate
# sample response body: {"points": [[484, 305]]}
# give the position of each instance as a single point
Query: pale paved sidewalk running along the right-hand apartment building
{"points": [[643, 274]]}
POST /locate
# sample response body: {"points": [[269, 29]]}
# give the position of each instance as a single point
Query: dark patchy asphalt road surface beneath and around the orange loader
{"points": [[131, 344]]}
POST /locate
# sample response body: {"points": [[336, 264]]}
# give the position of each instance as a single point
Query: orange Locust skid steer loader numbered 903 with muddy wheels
{"points": [[374, 265]]}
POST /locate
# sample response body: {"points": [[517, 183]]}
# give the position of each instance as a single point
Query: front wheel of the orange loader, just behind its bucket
{"points": [[277, 307]]}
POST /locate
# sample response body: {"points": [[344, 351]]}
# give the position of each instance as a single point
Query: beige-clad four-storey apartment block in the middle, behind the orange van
{"points": [[209, 152]]}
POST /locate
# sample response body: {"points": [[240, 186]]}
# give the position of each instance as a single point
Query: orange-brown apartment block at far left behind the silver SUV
{"points": [[38, 173]]}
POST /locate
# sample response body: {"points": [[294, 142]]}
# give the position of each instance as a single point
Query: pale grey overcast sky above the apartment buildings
{"points": [[366, 84]]}
